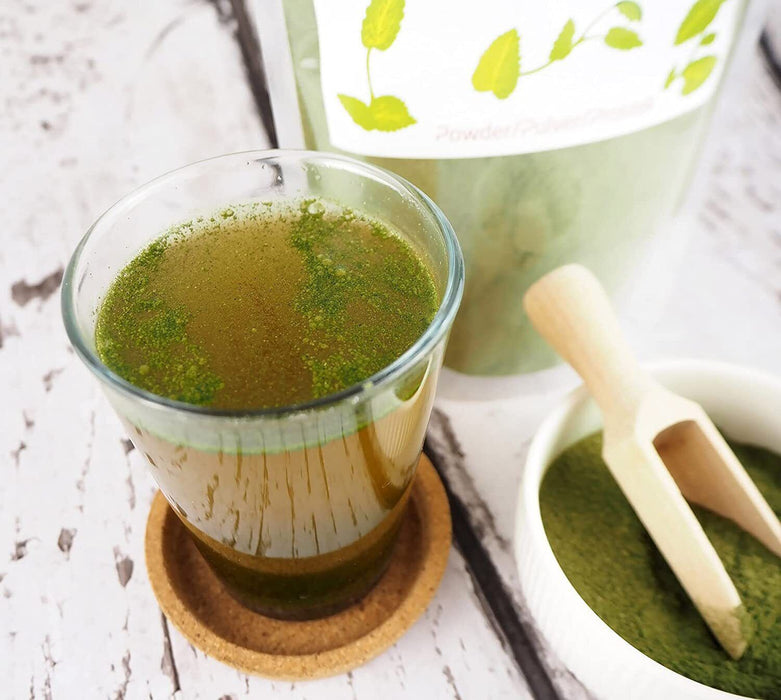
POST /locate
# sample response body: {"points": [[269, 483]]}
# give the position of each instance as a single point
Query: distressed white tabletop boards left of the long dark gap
{"points": [[98, 98]]}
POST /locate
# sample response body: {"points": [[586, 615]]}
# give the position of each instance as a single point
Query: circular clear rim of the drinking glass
{"points": [[423, 344]]}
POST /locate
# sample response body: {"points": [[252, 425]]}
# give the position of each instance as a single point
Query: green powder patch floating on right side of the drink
{"points": [[349, 284]]}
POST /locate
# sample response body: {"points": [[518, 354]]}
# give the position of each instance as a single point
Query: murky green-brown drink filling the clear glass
{"points": [[266, 306]]}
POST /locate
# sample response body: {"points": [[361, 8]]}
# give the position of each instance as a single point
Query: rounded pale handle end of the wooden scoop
{"points": [[570, 309]]}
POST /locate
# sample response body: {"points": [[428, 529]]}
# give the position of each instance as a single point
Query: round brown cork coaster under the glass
{"points": [[198, 605]]}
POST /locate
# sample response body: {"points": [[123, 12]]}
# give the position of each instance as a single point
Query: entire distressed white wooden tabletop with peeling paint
{"points": [[98, 97]]}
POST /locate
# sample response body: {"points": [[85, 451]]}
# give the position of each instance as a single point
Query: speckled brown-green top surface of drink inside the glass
{"points": [[262, 305]]}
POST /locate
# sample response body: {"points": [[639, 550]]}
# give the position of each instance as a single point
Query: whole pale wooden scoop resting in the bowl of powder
{"points": [[659, 447]]}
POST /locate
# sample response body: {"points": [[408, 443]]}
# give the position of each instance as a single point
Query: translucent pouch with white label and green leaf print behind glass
{"points": [[548, 132]]}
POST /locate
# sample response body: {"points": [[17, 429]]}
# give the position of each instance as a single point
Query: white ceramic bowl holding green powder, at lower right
{"points": [[746, 405]]}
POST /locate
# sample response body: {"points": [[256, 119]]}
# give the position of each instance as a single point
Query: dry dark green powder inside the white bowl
{"points": [[629, 585]]}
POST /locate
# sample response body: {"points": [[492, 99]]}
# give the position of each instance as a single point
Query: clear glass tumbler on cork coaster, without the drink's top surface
{"points": [[296, 509]]}
